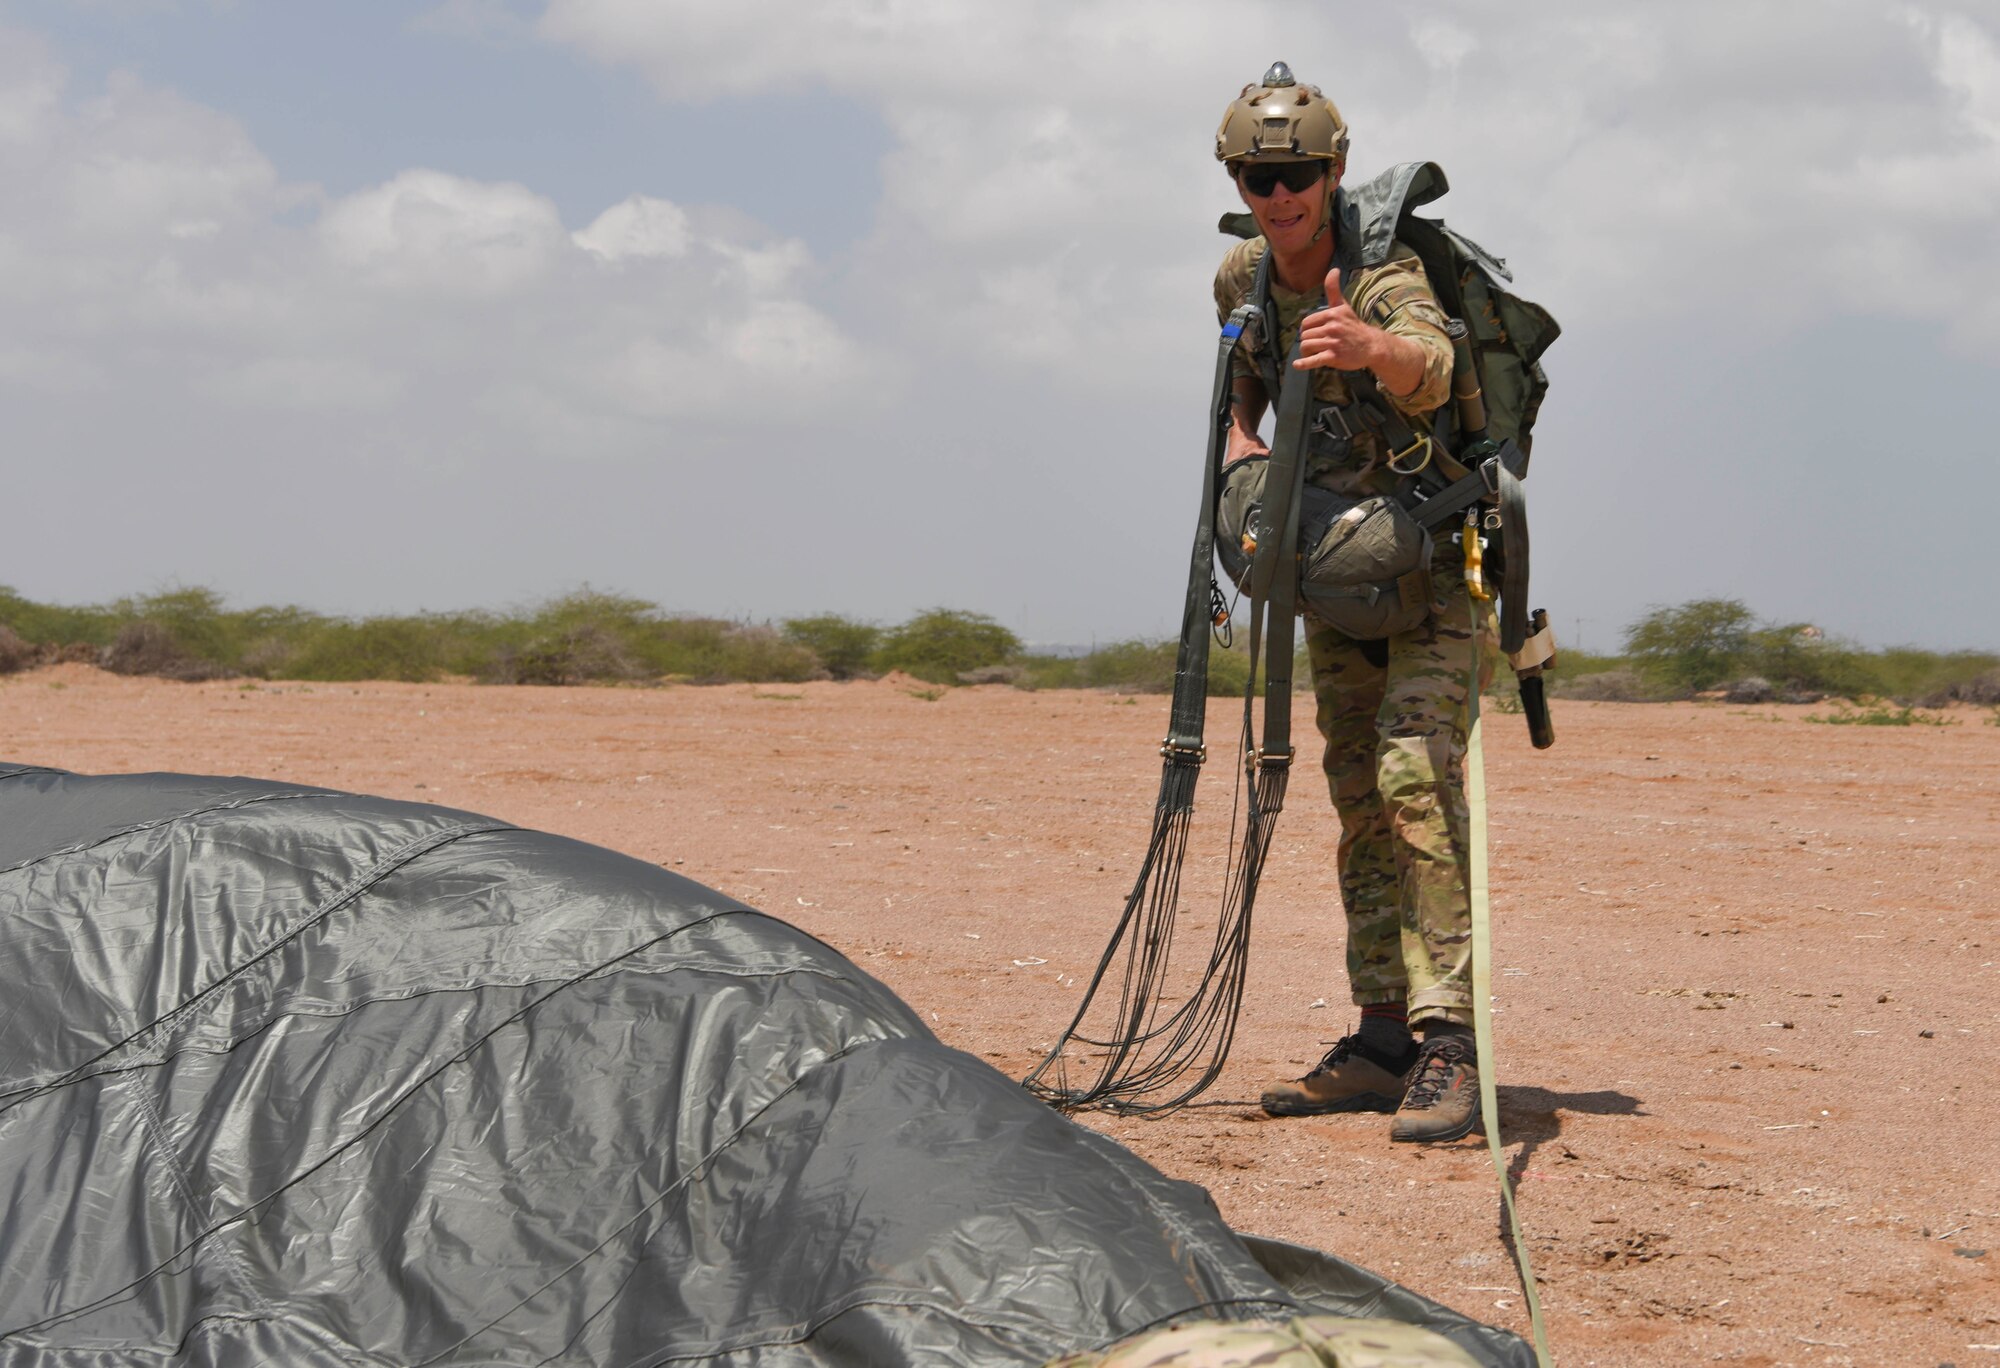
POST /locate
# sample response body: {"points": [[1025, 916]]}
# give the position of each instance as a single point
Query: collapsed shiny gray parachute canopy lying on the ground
{"points": [[301, 1077]]}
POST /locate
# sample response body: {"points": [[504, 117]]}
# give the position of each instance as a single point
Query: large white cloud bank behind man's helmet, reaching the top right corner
{"points": [[1609, 149]]}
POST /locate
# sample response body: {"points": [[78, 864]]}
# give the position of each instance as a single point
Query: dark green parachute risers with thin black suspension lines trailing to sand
{"points": [[1155, 1059]]}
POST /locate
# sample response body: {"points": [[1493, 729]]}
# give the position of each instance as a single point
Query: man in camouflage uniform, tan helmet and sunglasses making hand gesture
{"points": [[1393, 713]]}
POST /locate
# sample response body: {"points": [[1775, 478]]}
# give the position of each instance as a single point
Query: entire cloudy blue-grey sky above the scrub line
{"points": [[873, 305]]}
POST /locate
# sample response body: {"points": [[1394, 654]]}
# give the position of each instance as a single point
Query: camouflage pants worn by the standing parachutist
{"points": [[1395, 765]]}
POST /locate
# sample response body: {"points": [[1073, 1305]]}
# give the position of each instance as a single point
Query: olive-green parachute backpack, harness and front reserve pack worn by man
{"points": [[1365, 563]]}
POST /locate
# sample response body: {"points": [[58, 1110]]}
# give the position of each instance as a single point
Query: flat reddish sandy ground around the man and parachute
{"points": [[1745, 965]]}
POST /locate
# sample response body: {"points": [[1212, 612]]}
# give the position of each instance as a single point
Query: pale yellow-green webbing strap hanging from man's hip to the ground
{"points": [[1483, 939]]}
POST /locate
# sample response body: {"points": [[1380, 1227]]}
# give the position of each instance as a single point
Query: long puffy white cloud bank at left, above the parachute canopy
{"points": [[149, 247]]}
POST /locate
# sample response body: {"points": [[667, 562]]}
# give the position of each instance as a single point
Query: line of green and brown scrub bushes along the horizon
{"points": [[593, 637]]}
